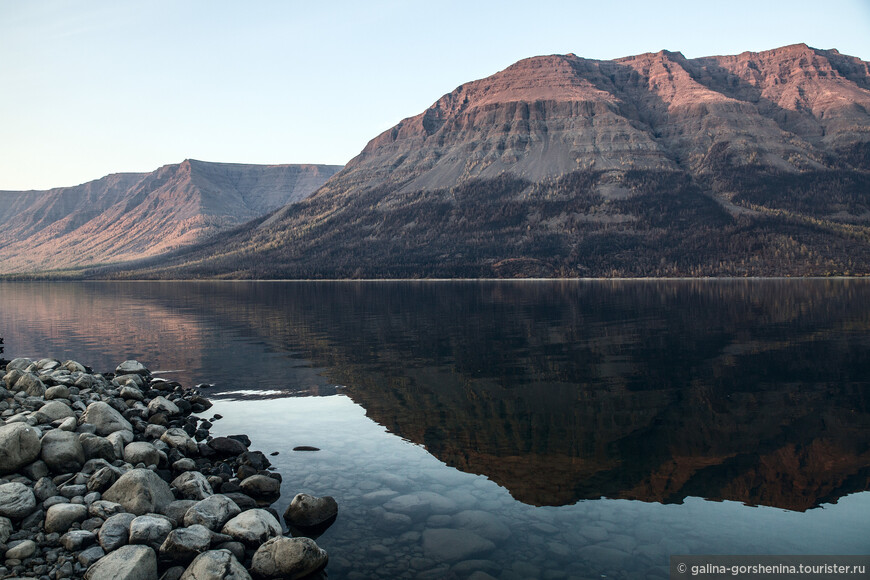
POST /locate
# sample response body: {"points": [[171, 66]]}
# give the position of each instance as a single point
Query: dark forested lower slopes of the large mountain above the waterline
{"points": [[586, 223]]}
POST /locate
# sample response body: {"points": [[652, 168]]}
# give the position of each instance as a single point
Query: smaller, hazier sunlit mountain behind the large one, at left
{"points": [[135, 215]]}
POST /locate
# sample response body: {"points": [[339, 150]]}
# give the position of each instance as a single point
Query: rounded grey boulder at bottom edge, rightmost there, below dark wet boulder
{"points": [[288, 558]]}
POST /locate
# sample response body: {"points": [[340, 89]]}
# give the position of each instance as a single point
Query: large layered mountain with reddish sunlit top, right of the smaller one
{"points": [[651, 165]]}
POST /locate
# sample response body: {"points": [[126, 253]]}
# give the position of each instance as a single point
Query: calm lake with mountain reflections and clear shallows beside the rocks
{"points": [[530, 429]]}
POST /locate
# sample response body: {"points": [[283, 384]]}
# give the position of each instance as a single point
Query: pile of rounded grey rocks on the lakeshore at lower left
{"points": [[114, 476]]}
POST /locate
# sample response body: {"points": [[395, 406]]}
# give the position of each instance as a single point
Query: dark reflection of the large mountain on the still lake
{"points": [[754, 391]]}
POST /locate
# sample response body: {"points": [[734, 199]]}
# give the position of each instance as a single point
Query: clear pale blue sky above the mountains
{"points": [[94, 87]]}
